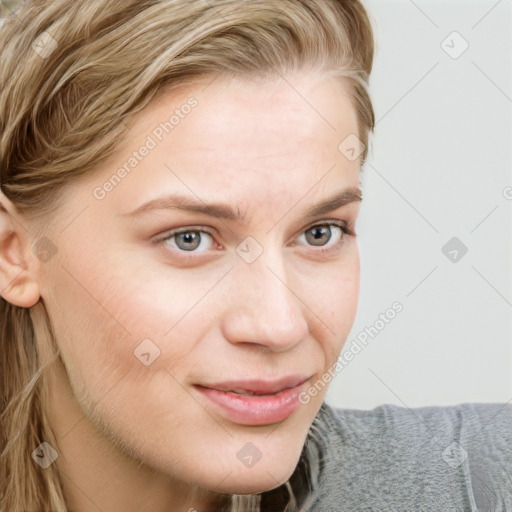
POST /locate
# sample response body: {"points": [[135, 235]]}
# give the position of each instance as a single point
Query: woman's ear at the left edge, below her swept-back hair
{"points": [[17, 283]]}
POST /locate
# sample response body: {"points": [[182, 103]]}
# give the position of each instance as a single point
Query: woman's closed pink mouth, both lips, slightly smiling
{"points": [[255, 402]]}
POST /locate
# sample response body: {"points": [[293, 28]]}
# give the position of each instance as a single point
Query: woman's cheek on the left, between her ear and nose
{"points": [[110, 320]]}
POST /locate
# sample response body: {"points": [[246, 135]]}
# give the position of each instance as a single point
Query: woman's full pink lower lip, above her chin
{"points": [[254, 409]]}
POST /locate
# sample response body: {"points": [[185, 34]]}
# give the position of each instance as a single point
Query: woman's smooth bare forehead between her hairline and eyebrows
{"points": [[246, 143]]}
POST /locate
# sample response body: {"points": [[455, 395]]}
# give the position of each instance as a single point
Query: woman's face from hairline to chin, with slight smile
{"points": [[257, 294]]}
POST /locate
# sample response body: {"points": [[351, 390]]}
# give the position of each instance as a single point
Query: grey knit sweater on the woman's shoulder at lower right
{"points": [[396, 459]]}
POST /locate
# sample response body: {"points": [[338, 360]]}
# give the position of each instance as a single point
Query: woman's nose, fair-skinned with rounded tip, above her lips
{"points": [[263, 306]]}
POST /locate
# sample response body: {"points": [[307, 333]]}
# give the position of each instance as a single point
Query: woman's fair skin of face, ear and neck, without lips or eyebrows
{"points": [[141, 438]]}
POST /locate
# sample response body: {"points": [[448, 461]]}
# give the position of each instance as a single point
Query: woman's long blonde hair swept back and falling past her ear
{"points": [[62, 116]]}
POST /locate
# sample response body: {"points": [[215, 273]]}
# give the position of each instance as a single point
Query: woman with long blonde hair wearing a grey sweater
{"points": [[179, 268]]}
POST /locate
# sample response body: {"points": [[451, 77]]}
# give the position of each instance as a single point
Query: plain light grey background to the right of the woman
{"points": [[441, 158]]}
